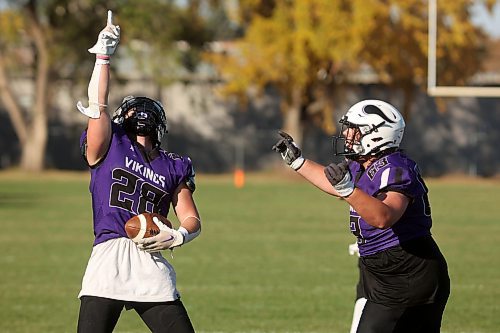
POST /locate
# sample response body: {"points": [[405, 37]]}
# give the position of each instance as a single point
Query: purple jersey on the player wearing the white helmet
{"points": [[394, 172]]}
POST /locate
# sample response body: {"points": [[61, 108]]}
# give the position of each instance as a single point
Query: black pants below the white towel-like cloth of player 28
{"points": [[100, 315]]}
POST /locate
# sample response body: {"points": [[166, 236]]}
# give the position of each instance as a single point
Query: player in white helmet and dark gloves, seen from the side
{"points": [[403, 274]]}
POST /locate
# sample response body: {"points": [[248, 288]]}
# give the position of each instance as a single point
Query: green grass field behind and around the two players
{"points": [[272, 256]]}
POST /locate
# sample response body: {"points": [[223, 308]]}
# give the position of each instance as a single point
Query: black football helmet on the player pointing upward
{"points": [[148, 118]]}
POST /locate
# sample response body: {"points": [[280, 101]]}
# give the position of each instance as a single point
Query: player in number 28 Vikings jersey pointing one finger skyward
{"points": [[131, 174]]}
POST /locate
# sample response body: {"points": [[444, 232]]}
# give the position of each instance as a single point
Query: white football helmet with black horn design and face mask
{"points": [[377, 126]]}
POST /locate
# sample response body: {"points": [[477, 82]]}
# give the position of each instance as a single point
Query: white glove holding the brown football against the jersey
{"points": [[168, 238]]}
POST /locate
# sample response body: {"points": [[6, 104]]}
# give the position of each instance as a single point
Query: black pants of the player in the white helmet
{"points": [[407, 288]]}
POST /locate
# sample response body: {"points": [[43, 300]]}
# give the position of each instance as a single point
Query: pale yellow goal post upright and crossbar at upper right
{"points": [[448, 91]]}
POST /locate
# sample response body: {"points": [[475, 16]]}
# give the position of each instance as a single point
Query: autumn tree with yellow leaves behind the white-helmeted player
{"points": [[308, 49]]}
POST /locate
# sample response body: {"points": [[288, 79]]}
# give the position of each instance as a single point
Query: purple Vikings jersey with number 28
{"points": [[127, 183]]}
